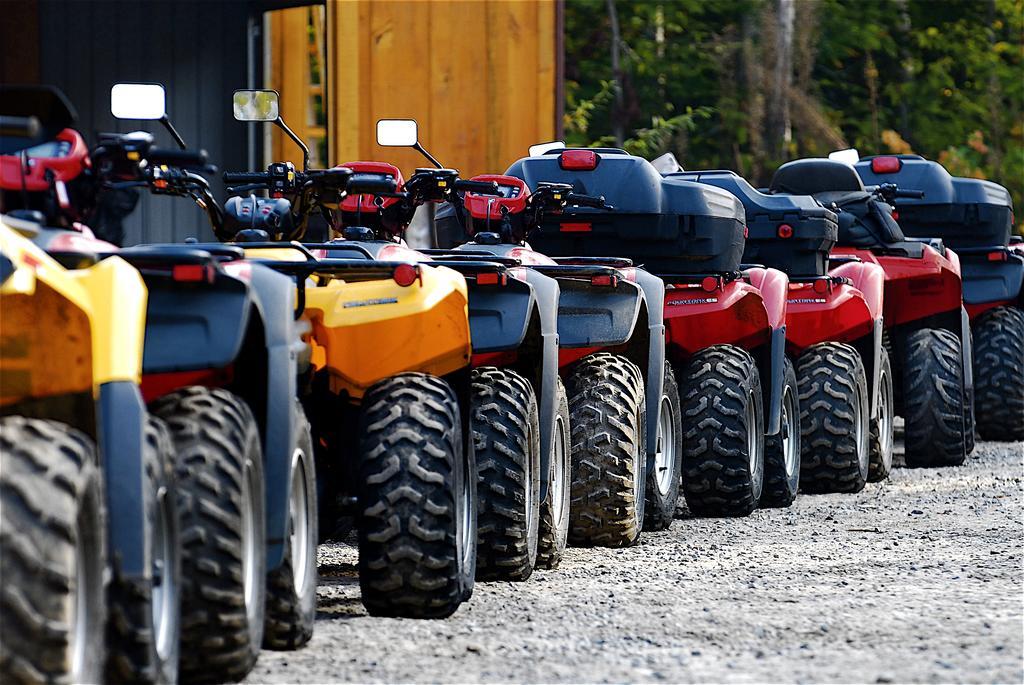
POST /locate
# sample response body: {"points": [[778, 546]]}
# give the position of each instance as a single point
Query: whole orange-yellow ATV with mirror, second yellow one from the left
{"points": [[389, 393]]}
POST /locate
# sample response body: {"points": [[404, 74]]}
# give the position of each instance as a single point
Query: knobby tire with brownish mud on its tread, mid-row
{"points": [[608, 413]]}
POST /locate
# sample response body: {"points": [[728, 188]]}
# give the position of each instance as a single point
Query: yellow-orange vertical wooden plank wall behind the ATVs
{"points": [[480, 76]]}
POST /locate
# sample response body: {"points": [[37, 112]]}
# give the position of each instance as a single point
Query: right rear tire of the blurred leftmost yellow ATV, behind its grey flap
{"points": [[144, 630]]}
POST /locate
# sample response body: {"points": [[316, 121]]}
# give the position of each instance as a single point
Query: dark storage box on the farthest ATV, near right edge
{"points": [[964, 212]]}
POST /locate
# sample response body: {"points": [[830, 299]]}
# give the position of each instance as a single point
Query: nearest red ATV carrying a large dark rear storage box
{"points": [[726, 329]]}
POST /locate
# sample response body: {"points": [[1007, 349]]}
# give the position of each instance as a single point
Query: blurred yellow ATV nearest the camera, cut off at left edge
{"points": [[90, 547]]}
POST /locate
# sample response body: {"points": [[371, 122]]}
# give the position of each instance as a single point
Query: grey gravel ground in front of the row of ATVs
{"points": [[918, 579]]}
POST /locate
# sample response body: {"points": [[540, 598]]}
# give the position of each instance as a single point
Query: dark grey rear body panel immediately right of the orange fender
{"points": [[499, 316]]}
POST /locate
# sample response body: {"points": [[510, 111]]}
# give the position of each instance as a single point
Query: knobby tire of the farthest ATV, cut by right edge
{"points": [[999, 374]]}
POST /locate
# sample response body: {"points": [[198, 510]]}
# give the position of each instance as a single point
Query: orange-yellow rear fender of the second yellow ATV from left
{"points": [[376, 329]]}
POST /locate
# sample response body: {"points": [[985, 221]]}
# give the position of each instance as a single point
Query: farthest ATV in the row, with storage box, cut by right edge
{"points": [[975, 219]]}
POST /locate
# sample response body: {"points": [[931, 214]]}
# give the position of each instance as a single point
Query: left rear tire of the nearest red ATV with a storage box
{"points": [[723, 433]]}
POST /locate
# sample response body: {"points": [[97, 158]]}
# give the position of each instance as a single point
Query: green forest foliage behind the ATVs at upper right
{"points": [[942, 79]]}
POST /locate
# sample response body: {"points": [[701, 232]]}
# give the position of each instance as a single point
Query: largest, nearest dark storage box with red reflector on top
{"points": [[669, 226]]}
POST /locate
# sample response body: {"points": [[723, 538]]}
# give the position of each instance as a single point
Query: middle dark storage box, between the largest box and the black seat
{"points": [[793, 234]]}
